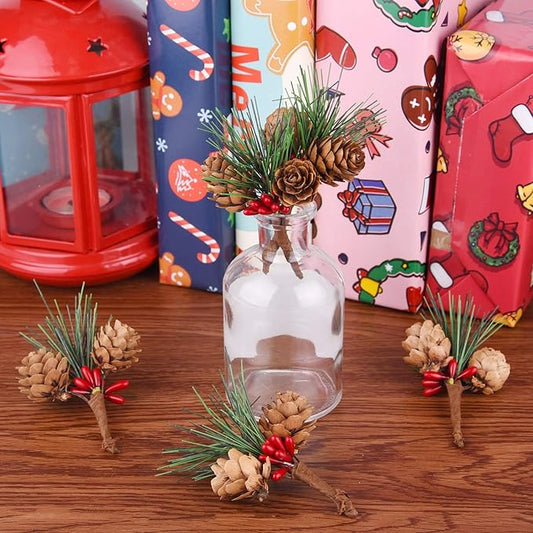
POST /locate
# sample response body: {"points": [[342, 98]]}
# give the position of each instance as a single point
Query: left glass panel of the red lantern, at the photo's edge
{"points": [[34, 172]]}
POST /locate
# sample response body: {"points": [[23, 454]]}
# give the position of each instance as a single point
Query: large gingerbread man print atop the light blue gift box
{"points": [[290, 23]]}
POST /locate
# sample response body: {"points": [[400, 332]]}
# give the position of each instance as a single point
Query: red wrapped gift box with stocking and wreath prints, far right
{"points": [[482, 230]]}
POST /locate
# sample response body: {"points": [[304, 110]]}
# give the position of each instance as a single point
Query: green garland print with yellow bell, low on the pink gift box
{"points": [[368, 285]]}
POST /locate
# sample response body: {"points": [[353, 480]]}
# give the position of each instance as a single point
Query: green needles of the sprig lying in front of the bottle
{"points": [[226, 423]]}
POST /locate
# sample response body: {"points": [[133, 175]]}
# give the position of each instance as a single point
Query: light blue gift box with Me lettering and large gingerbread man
{"points": [[271, 41]]}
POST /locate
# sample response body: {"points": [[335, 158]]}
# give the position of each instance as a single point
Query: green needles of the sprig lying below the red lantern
{"points": [[72, 335]]}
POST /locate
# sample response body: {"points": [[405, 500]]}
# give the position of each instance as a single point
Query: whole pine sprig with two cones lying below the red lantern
{"points": [[72, 359]]}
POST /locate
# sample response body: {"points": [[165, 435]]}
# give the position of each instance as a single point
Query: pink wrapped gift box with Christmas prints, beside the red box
{"points": [[387, 51]]}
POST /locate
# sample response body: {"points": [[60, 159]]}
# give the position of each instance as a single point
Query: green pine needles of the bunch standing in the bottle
{"points": [[242, 141]]}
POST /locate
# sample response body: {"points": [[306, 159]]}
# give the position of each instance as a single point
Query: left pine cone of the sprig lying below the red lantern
{"points": [[44, 376]]}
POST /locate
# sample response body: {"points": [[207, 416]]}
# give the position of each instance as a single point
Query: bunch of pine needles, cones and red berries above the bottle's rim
{"points": [[269, 168]]}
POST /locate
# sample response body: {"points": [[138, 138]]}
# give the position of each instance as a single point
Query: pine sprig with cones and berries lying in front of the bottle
{"points": [[241, 455]]}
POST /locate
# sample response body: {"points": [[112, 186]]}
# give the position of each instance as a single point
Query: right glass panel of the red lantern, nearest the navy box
{"points": [[123, 164]]}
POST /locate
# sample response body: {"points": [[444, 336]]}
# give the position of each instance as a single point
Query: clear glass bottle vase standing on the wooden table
{"points": [[284, 314]]}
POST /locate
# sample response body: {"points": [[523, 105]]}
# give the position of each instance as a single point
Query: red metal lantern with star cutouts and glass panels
{"points": [[78, 198]]}
